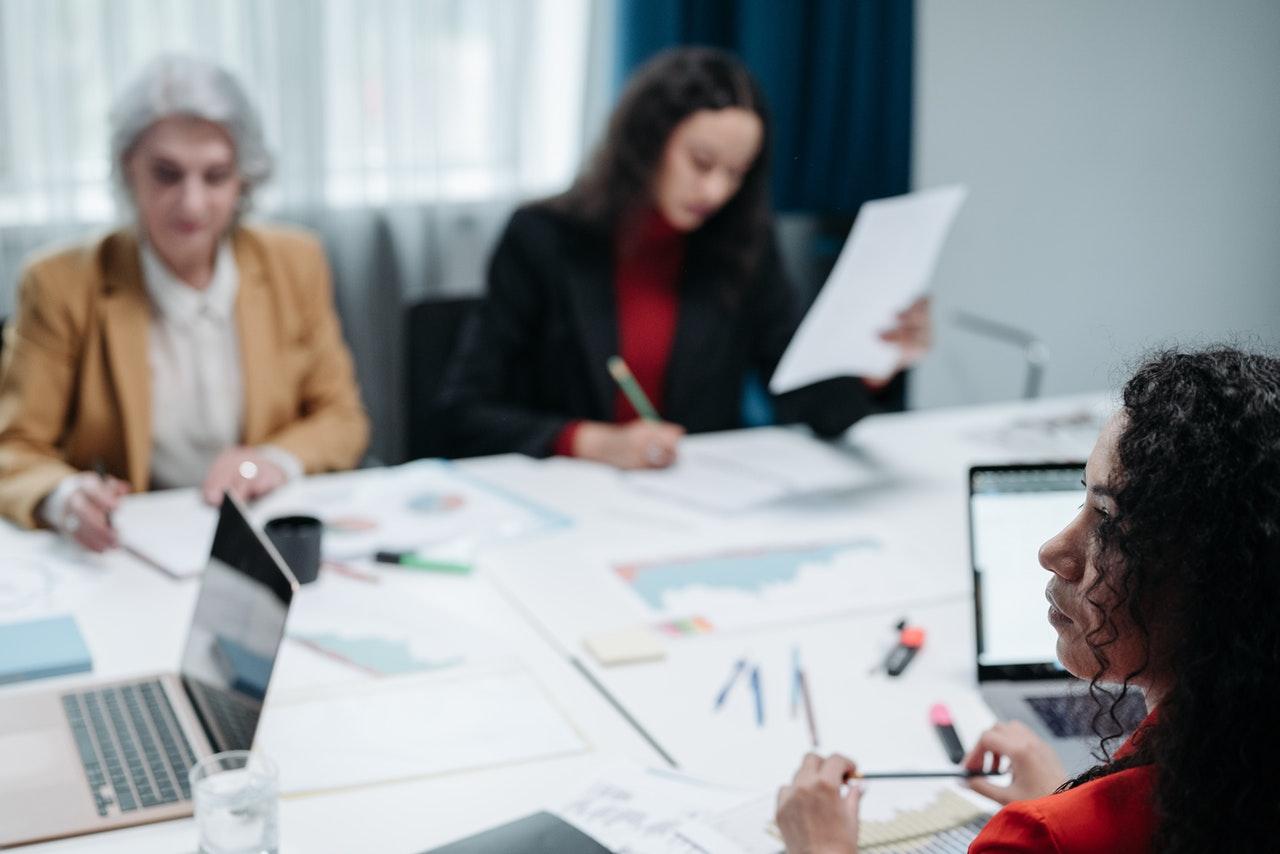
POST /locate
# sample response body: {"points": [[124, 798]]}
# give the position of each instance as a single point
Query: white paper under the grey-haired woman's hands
{"points": [[172, 529]]}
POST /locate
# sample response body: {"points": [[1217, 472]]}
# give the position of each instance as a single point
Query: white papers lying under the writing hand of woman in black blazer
{"points": [[742, 469]]}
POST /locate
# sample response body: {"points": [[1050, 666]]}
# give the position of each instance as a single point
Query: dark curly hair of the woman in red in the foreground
{"points": [[1192, 560]]}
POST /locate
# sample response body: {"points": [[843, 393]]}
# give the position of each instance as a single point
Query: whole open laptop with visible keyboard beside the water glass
{"points": [[107, 756]]}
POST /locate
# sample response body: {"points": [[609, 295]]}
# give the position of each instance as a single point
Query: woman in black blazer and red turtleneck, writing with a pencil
{"points": [[662, 252]]}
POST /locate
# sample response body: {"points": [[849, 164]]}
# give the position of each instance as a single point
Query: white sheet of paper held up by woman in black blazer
{"points": [[885, 267]]}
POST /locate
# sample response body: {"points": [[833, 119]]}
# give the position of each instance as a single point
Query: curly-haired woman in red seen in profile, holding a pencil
{"points": [[1168, 581]]}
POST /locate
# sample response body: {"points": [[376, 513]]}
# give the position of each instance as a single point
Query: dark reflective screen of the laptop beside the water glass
{"points": [[236, 632]]}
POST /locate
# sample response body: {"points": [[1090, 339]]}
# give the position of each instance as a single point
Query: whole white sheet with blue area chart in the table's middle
{"points": [[714, 586]]}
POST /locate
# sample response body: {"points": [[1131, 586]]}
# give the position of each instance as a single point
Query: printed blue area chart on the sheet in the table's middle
{"points": [[737, 588]]}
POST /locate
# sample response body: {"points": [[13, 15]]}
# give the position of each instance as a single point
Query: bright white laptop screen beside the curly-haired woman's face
{"points": [[1013, 510]]}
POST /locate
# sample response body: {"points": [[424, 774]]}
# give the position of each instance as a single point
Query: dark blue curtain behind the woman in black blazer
{"points": [[838, 76]]}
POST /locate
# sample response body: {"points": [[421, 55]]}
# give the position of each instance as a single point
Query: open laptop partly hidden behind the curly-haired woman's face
{"points": [[1013, 510]]}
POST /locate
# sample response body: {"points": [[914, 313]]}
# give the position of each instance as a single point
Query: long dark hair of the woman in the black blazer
{"points": [[665, 92]]}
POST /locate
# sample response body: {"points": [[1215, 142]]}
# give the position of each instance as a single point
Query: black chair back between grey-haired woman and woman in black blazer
{"points": [[432, 332]]}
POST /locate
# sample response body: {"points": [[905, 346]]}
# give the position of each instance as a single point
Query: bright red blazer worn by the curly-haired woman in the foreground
{"points": [[1113, 814]]}
